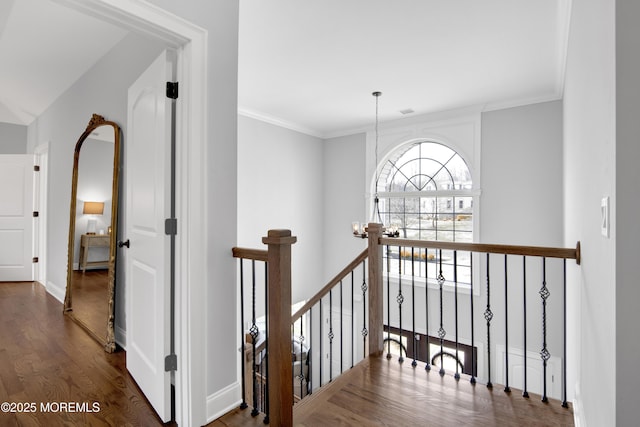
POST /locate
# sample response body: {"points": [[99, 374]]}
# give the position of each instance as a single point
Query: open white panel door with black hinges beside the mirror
{"points": [[147, 154]]}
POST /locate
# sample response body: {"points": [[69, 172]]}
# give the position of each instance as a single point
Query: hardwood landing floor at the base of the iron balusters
{"points": [[378, 392]]}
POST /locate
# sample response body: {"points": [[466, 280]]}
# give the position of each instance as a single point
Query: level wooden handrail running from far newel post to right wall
{"points": [[566, 253]]}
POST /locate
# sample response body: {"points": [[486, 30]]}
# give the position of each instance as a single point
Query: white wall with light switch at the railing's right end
{"points": [[590, 175]]}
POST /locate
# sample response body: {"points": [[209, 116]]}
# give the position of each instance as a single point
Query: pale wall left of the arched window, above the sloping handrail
{"points": [[280, 186]]}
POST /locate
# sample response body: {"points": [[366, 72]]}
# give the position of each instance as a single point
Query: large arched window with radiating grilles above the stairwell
{"points": [[425, 191]]}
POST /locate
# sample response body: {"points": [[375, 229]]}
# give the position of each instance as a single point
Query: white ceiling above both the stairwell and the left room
{"points": [[312, 66]]}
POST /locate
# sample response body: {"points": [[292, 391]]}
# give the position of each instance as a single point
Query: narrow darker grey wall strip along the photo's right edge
{"points": [[626, 212]]}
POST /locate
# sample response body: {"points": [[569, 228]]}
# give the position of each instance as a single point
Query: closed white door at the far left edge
{"points": [[16, 217]]}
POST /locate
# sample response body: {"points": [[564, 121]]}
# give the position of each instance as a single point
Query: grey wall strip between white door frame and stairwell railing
{"points": [[220, 19]]}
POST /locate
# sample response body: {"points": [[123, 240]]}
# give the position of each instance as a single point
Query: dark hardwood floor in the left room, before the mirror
{"points": [[47, 360]]}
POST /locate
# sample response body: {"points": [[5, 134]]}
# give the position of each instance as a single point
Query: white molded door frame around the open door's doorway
{"points": [[190, 41]]}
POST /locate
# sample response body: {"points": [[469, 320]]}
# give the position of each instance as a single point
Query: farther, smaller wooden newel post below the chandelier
{"points": [[376, 311]]}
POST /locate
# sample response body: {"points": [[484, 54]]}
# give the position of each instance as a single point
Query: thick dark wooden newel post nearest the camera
{"points": [[279, 361]]}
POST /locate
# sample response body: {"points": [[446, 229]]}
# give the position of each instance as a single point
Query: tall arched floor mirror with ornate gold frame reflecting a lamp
{"points": [[89, 299]]}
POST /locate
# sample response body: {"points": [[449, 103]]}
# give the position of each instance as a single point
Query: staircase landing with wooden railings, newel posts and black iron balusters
{"points": [[343, 369]]}
